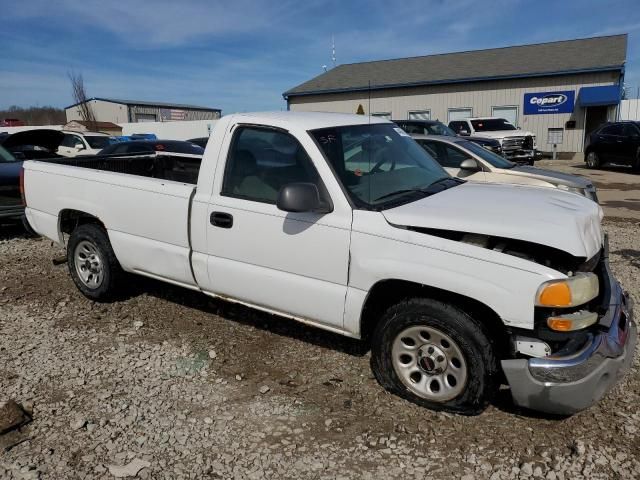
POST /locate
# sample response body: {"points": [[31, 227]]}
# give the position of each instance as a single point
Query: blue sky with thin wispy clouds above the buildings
{"points": [[240, 55]]}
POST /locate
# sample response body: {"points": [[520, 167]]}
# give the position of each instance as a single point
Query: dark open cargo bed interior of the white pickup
{"points": [[178, 167]]}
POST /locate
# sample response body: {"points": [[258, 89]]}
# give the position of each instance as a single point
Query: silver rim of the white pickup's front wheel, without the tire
{"points": [[429, 363]]}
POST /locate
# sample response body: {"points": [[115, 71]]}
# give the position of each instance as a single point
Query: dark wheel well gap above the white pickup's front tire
{"points": [[386, 293]]}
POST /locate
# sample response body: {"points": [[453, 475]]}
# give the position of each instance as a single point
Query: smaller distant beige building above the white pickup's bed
{"points": [[133, 111]]}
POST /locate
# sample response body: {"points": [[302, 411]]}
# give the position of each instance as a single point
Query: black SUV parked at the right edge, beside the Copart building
{"points": [[615, 142]]}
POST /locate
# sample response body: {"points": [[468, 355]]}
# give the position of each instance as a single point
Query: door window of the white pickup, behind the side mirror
{"points": [[261, 161]]}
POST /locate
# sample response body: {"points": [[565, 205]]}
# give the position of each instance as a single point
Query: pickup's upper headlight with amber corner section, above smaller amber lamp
{"points": [[571, 292]]}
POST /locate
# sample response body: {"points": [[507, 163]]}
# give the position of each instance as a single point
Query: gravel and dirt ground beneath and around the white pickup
{"points": [[172, 384]]}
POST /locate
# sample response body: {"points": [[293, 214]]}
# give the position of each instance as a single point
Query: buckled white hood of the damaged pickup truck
{"points": [[540, 215]]}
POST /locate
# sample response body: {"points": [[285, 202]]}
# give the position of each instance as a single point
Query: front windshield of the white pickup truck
{"points": [[380, 165]]}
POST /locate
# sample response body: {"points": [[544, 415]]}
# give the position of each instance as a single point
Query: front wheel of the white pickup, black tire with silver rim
{"points": [[450, 333]]}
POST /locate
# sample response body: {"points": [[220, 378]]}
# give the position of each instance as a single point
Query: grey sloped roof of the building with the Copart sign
{"points": [[543, 59]]}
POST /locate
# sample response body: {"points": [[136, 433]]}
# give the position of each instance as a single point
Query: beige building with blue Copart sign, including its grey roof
{"points": [[557, 90]]}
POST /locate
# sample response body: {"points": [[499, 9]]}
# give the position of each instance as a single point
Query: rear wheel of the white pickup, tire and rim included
{"points": [[93, 266]]}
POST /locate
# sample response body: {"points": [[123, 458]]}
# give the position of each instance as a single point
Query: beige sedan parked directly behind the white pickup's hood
{"points": [[464, 159]]}
